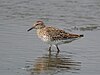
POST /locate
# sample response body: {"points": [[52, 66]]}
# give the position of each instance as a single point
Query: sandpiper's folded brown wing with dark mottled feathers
{"points": [[57, 34]]}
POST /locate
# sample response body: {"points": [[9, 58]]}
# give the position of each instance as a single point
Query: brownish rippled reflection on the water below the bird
{"points": [[54, 63]]}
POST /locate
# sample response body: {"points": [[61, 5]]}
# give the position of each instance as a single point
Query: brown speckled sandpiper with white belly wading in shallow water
{"points": [[52, 35]]}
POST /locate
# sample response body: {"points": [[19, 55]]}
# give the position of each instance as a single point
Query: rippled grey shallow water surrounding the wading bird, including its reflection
{"points": [[22, 53]]}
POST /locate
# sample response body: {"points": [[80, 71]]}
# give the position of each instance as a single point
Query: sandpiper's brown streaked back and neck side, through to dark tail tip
{"points": [[57, 34]]}
